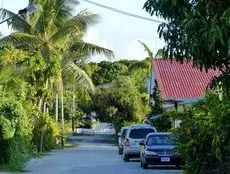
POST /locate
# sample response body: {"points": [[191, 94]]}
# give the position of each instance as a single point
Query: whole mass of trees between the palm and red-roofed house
{"points": [[123, 99]]}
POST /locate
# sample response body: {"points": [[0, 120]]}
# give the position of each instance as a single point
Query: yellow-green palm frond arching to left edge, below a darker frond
{"points": [[21, 40]]}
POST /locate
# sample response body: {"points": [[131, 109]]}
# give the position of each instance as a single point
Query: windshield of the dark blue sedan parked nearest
{"points": [[161, 140]]}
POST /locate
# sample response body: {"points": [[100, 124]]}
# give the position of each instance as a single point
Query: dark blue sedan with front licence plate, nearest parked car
{"points": [[157, 149]]}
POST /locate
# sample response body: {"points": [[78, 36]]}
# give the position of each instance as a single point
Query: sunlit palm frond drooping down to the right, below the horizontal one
{"points": [[72, 71]]}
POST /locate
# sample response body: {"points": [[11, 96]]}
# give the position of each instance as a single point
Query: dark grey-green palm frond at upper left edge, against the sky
{"points": [[17, 23]]}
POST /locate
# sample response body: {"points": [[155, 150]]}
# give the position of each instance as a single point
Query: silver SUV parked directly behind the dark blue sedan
{"points": [[135, 134]]}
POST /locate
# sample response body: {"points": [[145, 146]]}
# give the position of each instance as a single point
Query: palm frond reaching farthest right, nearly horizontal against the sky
{"points": [[90, 49]]}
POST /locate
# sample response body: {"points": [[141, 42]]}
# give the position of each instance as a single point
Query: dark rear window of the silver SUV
{"points": [[140, 133]]}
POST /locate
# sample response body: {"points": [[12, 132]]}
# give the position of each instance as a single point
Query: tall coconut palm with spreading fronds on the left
{"points": [[57, 34]]}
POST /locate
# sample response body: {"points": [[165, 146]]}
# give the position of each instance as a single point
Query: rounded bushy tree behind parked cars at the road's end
{"points": [[121, 102]]}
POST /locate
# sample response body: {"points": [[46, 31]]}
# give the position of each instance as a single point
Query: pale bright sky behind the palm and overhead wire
{"points": [[115, 31]]}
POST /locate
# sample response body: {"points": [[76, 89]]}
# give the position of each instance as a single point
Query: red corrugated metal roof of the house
{"points": [[178, 80]]}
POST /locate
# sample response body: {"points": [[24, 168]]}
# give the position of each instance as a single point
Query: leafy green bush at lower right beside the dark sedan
{"points": [[204, 136]]}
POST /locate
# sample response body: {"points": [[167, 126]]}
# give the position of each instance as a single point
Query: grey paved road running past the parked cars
{"points": [[91, 157]]}
